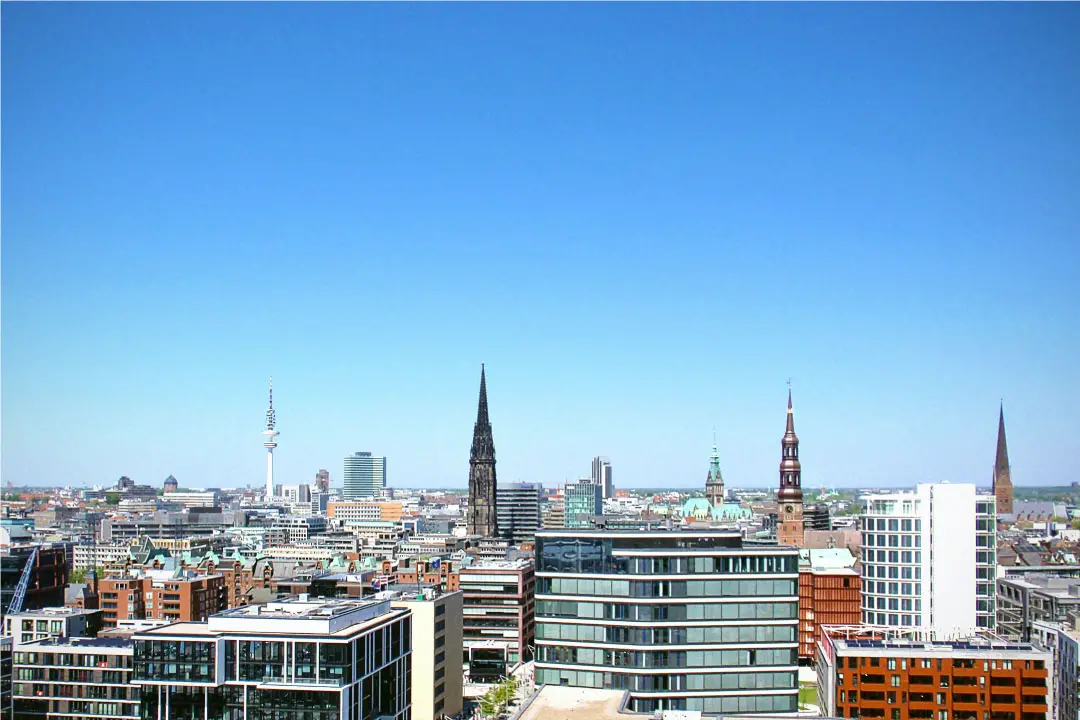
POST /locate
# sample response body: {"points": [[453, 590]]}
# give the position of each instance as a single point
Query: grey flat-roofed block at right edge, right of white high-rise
{"points": [[1027, 600]]}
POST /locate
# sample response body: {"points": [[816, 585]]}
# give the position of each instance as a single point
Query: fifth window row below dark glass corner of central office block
{"points": [[666, 683]]}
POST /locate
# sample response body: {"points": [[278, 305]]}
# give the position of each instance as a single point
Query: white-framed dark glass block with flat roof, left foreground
{"points": [[299, 659]]}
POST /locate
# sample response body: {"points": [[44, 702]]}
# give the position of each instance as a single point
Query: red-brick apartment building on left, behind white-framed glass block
{"points": [[174, 596]]}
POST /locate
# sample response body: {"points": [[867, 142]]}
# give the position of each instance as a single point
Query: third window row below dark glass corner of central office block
{"points": [[666, 635]]}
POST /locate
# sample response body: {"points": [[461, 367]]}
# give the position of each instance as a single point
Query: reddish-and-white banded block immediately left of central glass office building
{"points": [[499, 616]]}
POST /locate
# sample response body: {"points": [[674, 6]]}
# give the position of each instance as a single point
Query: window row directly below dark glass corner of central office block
{"points": [[677, 589]]}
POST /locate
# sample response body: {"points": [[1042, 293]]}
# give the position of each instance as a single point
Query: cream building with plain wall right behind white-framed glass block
{"points": [[437, 677]]}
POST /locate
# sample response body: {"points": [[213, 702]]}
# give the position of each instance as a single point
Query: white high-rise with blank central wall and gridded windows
{"points": [[929, 559]]}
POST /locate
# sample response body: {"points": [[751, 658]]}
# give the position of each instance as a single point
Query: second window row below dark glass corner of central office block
{"points": [[666, 613]]}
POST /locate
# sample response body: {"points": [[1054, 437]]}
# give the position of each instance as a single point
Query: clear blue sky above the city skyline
{"points": [[645, 219]]}
